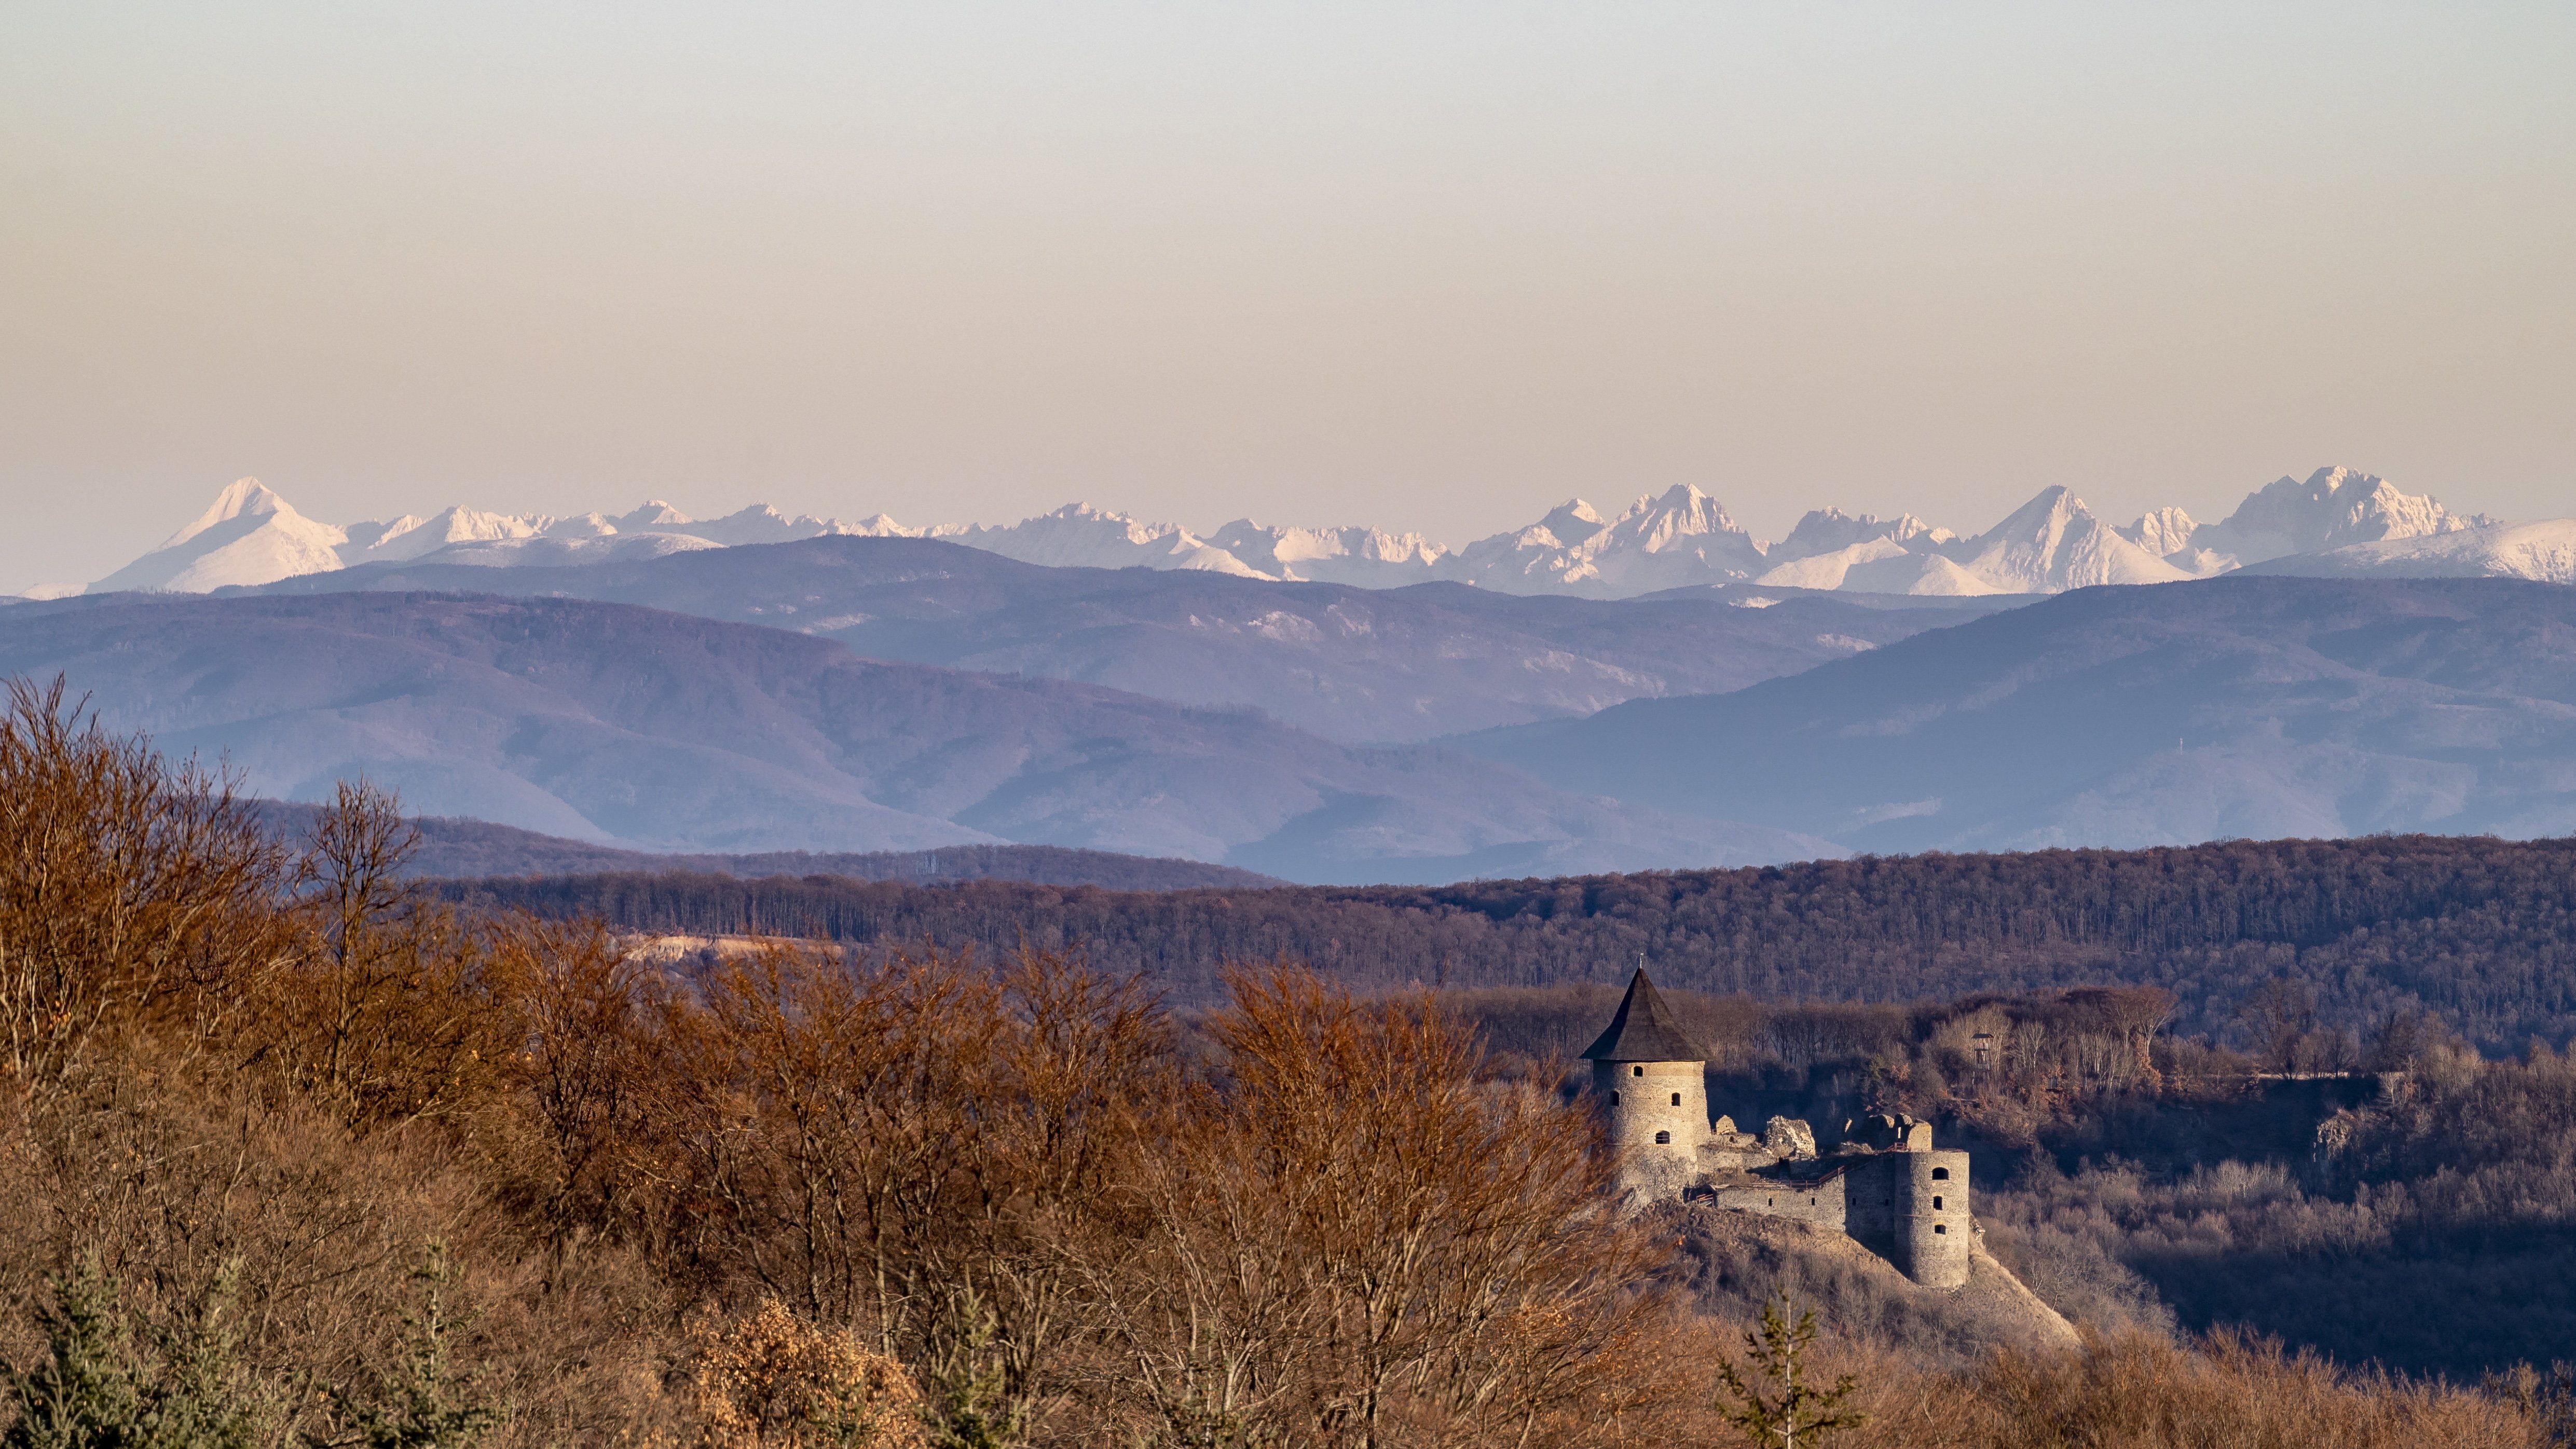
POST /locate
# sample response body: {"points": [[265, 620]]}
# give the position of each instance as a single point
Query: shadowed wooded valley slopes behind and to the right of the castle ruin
{"points": [[2379, 1198]]}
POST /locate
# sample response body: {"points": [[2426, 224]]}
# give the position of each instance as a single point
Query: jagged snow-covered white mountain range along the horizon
{"points": [[2333, 522]]}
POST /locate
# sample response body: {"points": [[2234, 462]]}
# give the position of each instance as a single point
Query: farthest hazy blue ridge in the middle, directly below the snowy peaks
{"points": [[1349, 664]]}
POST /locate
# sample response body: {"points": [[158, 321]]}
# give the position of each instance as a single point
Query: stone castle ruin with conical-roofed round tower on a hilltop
{"points": [[1884, 1185]]}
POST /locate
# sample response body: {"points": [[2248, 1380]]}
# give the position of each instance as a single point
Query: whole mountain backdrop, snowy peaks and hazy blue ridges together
{"points": [[1586, 695]]}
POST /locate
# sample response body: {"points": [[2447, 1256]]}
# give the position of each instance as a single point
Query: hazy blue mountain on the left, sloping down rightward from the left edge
{"points": [[661, 731]]}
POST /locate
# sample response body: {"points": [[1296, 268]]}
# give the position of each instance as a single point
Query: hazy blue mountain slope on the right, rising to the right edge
{"points": [[2255, 708]]}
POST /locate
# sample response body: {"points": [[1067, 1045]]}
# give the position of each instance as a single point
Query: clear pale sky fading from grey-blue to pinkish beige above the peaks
{"points": [[1426, 267]]}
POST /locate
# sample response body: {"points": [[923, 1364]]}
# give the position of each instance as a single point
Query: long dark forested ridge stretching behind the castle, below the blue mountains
{"points": [[2477, 932]]}
